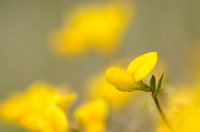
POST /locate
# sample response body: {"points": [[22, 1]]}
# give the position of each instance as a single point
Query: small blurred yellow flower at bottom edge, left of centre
{"points": [[92, 116]]}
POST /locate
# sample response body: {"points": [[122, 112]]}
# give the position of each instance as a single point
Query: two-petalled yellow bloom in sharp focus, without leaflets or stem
{"points": [[127, 80]]}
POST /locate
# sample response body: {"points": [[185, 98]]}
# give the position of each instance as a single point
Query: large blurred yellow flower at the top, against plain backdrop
{"points": [[95, 27]]}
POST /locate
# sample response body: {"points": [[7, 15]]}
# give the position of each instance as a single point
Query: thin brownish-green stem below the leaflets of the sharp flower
{"points": [[161, 112]]}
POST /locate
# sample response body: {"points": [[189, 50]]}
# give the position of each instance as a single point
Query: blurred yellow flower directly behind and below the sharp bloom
{"points": [[98, 87]]}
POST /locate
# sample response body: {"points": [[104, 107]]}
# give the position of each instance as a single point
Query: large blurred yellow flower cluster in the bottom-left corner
{"points": [[40, 108]]}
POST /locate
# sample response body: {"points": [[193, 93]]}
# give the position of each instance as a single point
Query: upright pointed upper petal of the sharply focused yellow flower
{"points": [[142, 66]]}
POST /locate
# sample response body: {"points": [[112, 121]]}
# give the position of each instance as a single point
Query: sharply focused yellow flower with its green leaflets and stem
{"points": [[131, 79]]}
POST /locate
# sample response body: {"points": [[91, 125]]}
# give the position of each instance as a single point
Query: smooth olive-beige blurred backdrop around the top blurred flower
{"points": [[169, 27]]}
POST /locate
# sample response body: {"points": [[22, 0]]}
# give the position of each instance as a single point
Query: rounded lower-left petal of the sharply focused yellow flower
{"points": [[120, 78]]}
